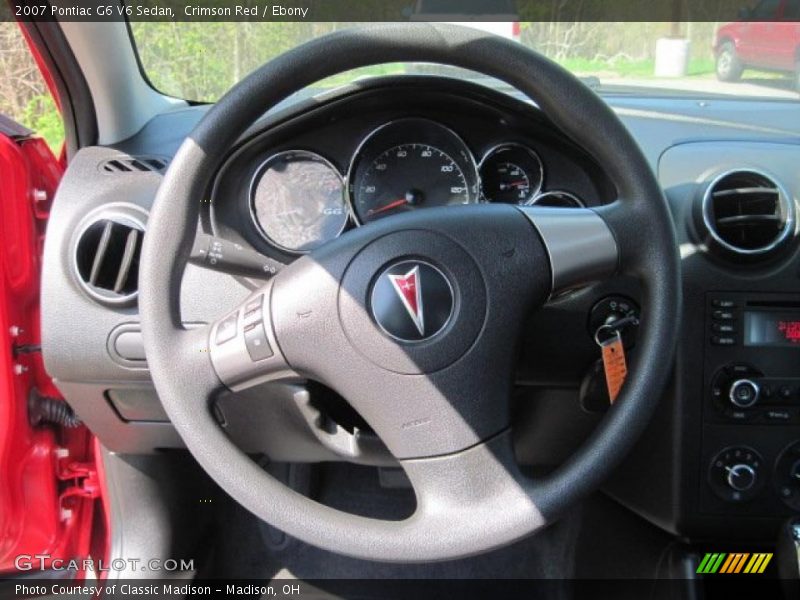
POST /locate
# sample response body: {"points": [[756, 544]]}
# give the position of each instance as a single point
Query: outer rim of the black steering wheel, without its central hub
{"points": [[184, 376]]}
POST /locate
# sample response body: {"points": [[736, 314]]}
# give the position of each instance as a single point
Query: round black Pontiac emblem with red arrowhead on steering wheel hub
{"points": [[412, 301]]}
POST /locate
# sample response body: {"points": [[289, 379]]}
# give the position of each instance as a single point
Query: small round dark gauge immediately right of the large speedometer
{"points": [[511, 174]]}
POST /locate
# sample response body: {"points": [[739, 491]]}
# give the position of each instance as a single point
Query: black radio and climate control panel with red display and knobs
{"points": [[751, 406]]}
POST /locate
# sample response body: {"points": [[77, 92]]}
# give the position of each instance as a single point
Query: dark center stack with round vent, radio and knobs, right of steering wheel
{"points": [[721, 461]]}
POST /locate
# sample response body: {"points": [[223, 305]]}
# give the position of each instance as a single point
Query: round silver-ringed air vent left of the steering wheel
{"points": [[107, 255]]}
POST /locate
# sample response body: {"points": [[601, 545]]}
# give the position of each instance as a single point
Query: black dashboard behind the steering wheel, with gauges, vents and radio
{"points": [[318, 166]]}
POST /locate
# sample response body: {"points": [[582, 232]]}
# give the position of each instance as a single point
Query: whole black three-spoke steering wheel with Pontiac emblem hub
{"points": [[414, 318]]}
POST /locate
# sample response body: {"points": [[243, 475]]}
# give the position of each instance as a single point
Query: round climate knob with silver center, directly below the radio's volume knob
{"points": [[735, 474]]}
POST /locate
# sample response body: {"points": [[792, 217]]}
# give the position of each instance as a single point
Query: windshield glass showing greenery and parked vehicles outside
{"points": [[200, 61]]}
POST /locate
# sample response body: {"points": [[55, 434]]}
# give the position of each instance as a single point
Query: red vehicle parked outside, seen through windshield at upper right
{"points": [[767, 38]]}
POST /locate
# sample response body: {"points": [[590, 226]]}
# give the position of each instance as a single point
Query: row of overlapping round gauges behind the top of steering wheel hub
{"points": [[298, 200]]}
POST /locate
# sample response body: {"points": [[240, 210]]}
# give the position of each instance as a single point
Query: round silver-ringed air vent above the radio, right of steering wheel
{"points": [[748, 213]]}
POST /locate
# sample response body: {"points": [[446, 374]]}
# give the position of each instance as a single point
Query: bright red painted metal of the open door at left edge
{"points": [[49, 491]]}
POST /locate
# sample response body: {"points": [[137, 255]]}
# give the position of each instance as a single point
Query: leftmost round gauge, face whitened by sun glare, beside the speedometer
{"points": [[297, 201]]}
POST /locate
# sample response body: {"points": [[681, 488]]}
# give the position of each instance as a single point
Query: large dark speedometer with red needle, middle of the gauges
{"points": [[392, 175]]}
